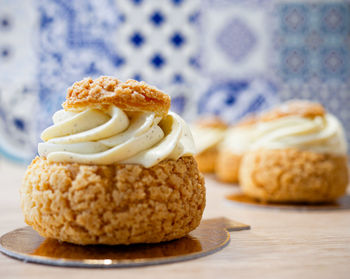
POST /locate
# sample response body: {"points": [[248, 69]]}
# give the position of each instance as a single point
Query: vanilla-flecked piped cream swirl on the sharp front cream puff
{"points": [[94, 136]]}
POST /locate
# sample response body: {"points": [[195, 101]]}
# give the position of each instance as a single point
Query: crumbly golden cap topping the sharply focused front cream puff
{"points": [[129, 96]]}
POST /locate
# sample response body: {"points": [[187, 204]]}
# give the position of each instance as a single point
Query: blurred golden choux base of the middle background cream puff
{"points": [[227, 166]]}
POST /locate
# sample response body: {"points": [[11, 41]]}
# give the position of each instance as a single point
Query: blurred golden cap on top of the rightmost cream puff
{"points": [[296, 107]]}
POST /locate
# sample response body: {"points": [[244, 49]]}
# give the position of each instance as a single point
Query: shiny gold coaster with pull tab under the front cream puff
{"points": [[27, 245]]}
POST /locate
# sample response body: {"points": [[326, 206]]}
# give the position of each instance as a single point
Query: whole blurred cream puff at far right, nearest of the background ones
{"points": [[299, 154]]}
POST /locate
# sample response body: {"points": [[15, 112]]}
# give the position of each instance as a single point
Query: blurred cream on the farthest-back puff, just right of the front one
{"points": [[206, 138]]}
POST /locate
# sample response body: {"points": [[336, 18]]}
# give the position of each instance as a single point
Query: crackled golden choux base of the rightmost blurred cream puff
{"points": [[290, 175]]}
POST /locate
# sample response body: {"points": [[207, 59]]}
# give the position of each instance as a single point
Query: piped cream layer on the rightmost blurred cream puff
{"points": [[320, 134]]}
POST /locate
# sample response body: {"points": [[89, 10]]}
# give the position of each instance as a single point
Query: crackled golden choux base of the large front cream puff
{"points": [[113, 204]]}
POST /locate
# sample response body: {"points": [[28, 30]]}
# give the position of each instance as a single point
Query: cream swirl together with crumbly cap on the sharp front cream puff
{"points": [[106, 121]]}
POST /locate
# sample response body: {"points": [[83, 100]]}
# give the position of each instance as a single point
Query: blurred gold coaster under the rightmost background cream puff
{"points": [[242, 199]]}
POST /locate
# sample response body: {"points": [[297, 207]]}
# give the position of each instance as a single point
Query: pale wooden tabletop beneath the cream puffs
{"points": [[280, 244]]}
